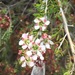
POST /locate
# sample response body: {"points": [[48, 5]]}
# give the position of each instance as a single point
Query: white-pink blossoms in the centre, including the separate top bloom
{"points": [[34, 48]]}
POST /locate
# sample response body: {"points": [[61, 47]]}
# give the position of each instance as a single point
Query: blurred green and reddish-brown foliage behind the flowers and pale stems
{"points": [[22, 14]]}
